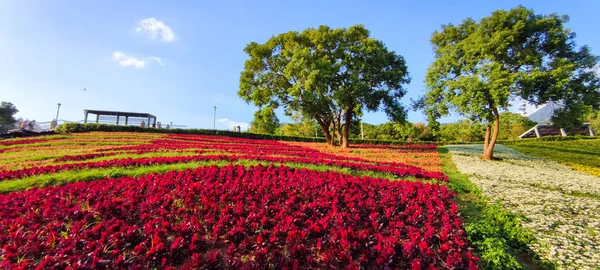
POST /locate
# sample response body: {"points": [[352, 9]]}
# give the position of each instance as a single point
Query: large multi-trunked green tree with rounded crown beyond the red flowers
{"points": [[329, 75]]}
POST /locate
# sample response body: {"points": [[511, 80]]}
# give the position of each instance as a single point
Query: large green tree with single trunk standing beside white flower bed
{"points": [[480, 66]]}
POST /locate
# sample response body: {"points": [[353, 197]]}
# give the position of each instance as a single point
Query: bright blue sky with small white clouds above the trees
{"points": [[178, 59]]}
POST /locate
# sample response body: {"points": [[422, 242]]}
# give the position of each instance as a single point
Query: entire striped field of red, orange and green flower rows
{"points": [[141, 200]]}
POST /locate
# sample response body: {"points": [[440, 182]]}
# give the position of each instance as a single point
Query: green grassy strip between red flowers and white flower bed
{"points": [[496, 234]]}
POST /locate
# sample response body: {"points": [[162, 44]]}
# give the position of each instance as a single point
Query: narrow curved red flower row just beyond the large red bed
{"points": [[398, 171]]}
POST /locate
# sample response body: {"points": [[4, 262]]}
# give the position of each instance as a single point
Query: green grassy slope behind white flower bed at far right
{"points": [[583, 155]]}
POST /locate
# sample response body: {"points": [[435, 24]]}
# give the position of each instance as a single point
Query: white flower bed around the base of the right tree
{"points": [[562, 205]]}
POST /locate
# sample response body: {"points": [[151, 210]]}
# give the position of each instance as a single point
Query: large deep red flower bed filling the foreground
{"points": [[233, 217]]}
